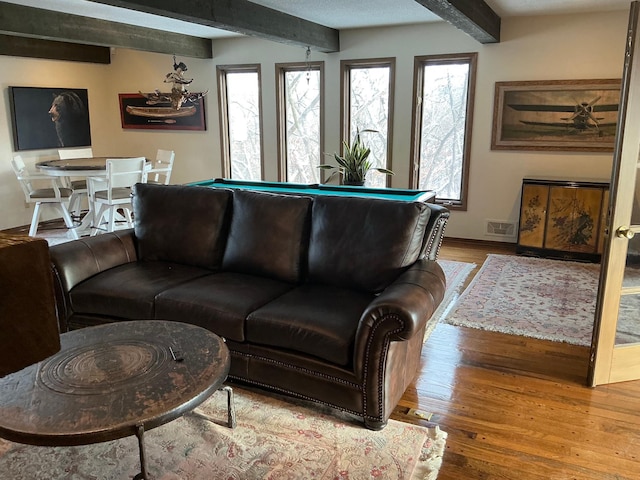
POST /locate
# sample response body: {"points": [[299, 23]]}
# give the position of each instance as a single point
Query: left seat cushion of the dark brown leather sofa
{"points": [[129, 290]]}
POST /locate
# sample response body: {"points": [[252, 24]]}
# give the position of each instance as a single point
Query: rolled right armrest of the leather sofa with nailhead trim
{"points": [[400, 311]]}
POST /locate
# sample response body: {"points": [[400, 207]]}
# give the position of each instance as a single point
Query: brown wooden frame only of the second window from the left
{"points": [[281, 121]]}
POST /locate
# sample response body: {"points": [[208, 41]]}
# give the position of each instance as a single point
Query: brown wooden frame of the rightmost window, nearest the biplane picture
{"points": [[416, 122]]}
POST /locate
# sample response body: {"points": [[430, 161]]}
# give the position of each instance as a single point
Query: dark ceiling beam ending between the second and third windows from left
{"points": [[241, 16]]}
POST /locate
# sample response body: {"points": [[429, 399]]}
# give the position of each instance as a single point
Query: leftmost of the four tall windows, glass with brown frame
{"points": [[240, 121]]}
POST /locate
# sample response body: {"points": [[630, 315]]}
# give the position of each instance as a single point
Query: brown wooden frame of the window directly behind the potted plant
{"points": [[345, 101]]}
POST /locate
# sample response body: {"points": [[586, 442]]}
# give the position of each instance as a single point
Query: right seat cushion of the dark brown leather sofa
{"points": [[318, 320]]}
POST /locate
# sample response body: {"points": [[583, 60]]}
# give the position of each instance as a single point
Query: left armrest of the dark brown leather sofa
{"points": [[75, 261]]}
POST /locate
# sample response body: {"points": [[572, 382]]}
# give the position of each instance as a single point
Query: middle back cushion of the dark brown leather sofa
{"points": [[269, 235]]}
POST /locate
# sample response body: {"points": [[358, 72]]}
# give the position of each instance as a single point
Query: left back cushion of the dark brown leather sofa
{"points": [[181, 224]]}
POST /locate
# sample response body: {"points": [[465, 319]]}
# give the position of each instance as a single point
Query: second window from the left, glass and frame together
{"points": [[300, 109]]}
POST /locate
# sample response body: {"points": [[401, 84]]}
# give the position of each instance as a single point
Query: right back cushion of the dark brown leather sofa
{"points": [[364, 243]]}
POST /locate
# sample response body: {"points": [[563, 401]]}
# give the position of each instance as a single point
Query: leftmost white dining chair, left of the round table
{"points": [[52, 195]]}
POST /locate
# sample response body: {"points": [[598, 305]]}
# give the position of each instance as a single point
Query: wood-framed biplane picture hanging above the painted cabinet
{"points": [[560, 115]]}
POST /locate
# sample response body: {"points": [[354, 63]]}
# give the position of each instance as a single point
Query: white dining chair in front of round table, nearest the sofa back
{"points": [[112, 193]]}
